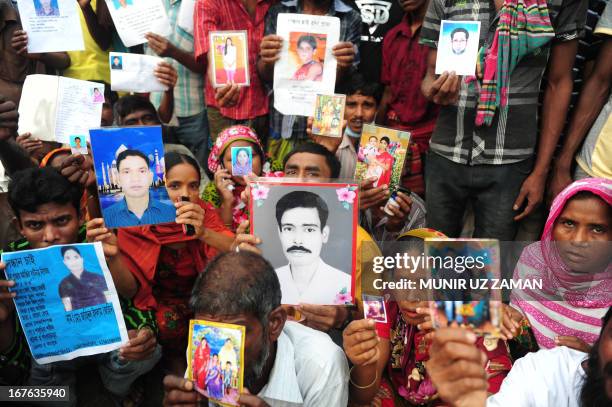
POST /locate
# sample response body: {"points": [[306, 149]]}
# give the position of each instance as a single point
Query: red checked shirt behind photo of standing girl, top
{"points": [[232, 15]]}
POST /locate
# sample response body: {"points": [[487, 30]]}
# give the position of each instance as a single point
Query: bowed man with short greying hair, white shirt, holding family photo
{"points": [[285, 363]]}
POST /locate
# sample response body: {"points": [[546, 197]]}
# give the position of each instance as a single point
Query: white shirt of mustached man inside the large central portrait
{"points": [[324, 285]]}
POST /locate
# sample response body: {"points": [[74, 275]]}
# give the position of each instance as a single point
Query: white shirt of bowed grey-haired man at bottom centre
{"points": [[309, 370]]}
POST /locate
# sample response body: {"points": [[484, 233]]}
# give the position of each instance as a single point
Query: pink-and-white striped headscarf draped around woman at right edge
{"points": [[569, 303]]}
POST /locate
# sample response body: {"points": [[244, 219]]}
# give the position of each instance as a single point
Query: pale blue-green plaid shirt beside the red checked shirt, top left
{"points": [[188, 96]]}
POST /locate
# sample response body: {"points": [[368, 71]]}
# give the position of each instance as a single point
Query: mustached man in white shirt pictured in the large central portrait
{"points": [[303, 230]]}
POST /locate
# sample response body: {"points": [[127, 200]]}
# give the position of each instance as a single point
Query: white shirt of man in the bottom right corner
{"points": [[547, 378]]}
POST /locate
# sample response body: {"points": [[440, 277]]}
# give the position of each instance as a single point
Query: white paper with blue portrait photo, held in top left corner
{"points": [[52, 25]]}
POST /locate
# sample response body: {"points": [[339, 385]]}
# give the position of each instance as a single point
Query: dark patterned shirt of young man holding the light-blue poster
{"points": [[15, 361]]}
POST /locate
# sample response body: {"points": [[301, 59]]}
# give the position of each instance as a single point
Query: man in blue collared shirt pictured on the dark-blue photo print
{"points": [[137, 207]]}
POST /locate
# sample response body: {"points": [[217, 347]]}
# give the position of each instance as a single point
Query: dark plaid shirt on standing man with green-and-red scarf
{"points": [[512, 136]]}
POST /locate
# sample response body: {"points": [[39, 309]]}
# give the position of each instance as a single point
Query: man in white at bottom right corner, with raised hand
{"points": [[553, 377]]}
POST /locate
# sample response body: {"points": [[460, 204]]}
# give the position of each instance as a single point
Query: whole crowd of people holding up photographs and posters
{"points": [[520, 151]]}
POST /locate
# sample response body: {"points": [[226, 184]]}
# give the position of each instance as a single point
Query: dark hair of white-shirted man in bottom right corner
{"points": [[593, 391]]}
